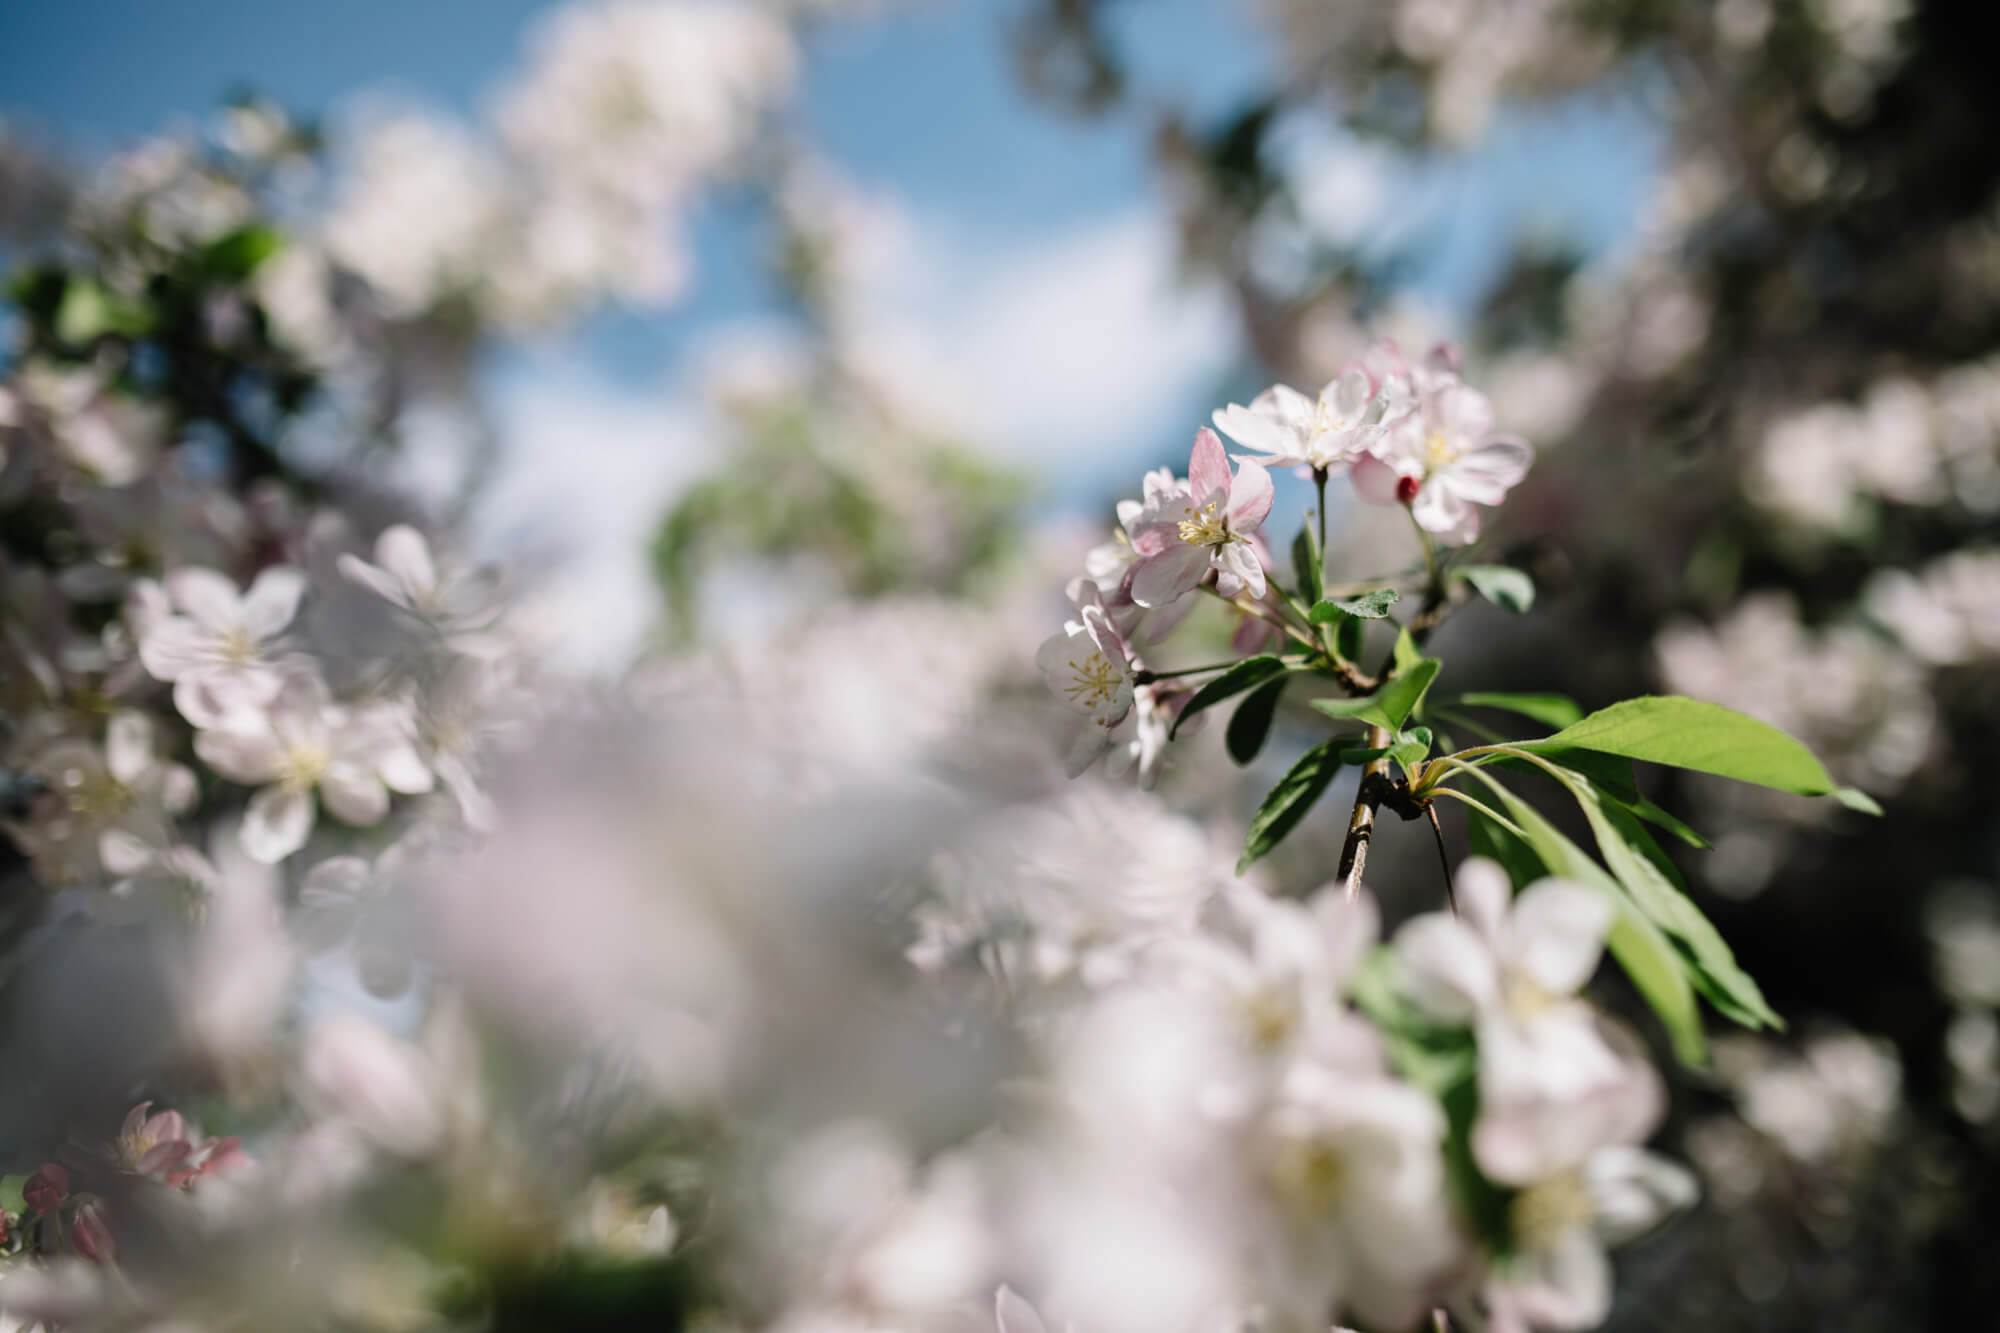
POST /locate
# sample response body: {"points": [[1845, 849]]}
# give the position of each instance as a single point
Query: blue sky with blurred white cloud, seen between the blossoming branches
{"points": [[1041, 271]]}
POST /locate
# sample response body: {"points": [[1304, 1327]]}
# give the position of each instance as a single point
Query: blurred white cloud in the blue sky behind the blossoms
{"points": [[1067, 353]]}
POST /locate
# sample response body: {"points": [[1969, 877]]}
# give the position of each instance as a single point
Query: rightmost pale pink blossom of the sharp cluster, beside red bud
{"points": [[1443, 459]]}
